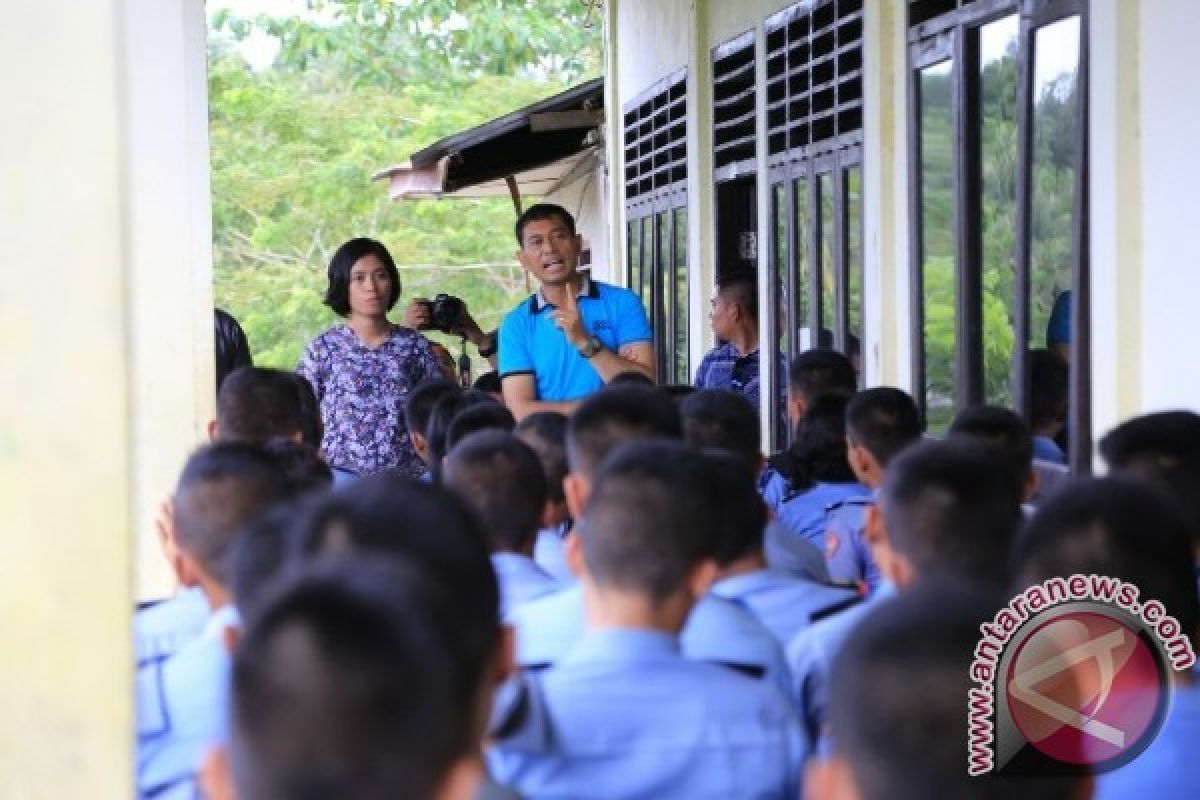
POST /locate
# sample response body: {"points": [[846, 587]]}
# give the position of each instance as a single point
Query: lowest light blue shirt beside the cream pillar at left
{"points": [[182, 708]]}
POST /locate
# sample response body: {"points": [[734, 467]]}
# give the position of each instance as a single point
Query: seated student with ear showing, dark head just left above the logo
{"points": [[946, 512]]}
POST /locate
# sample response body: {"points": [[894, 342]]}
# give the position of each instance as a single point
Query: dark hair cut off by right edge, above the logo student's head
{"points": [[1165, 450]]}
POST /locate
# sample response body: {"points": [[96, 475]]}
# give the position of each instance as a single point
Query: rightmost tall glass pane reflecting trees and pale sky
{"points": [[1053, 193]]}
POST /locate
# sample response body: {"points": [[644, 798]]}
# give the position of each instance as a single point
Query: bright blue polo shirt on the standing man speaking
{"points": [[532, 344]]}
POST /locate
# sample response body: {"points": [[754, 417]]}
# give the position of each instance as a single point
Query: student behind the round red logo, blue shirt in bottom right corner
{"points": [[1124, 530]]}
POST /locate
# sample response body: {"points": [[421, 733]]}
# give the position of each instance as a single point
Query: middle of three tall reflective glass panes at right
{"points": [[998, 151]]}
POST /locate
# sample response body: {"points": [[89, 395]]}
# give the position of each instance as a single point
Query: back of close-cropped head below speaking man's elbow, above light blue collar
{"points": [[501, 478]]}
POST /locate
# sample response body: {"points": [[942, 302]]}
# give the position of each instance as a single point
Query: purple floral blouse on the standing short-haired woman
{"points": [[363, 393]]}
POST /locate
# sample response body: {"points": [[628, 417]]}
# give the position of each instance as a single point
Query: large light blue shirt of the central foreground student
{"points": [[632, 718]]}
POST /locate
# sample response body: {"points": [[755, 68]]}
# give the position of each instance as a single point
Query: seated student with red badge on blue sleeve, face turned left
{"points": [[880, 423]]}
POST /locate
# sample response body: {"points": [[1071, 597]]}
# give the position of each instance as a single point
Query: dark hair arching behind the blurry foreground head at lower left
{"points": [[428, 525]]}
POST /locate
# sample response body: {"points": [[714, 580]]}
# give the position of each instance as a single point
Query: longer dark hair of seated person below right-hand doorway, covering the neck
{"points": [[819, 454]]}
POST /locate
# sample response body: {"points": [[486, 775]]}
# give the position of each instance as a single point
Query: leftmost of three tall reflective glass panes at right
{"points": [[938, 240]]}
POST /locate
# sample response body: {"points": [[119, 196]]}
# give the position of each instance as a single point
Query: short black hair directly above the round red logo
{"points": [[1119, 528]]}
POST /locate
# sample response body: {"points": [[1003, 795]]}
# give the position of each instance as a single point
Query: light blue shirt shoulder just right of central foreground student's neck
{"points": [[783, 604]]}
